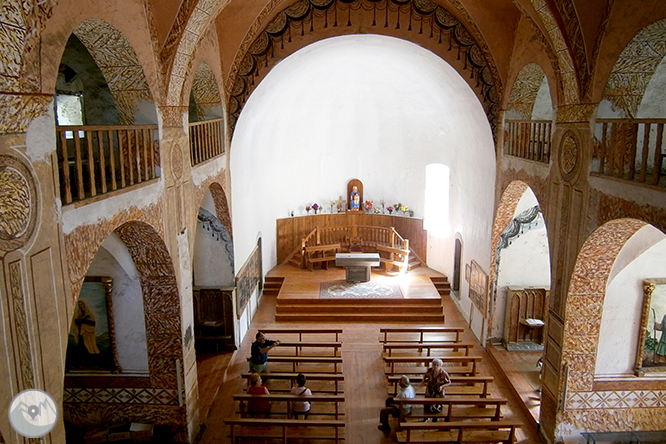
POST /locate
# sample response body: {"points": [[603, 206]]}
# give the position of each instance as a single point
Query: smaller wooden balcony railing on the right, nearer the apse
{"points": [[528, 139]]}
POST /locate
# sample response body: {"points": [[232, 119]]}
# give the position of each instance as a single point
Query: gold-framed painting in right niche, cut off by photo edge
{"points": [[651, 356]]}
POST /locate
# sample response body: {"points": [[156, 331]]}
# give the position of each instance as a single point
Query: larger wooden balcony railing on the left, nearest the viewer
{"points": [[95, 160]]}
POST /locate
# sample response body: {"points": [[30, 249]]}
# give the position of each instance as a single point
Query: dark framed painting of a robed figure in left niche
{"points": [[91, 343]]}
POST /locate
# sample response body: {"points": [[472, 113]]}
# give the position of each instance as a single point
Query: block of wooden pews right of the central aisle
{"points": [[469, 411]]}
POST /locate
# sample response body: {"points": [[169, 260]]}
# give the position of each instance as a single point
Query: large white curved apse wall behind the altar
{"points": [[369, 107]]}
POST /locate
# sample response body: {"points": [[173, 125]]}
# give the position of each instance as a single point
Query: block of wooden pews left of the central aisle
{"points": [[316, 354]]}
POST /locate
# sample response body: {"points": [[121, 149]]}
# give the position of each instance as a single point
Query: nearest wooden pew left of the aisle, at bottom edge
{"points": [[285, 429]]}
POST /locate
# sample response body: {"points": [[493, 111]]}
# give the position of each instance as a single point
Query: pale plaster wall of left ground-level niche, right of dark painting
{"points": [[114, 260]]}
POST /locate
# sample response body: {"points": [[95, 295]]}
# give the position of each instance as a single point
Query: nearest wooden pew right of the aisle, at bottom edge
{"points": [[458, 432]]}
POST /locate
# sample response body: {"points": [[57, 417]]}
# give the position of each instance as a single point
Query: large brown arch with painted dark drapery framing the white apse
{"points": [[462, 48]]}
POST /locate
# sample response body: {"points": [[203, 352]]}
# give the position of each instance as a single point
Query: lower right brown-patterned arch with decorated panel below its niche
{"points": [[598, 263]]}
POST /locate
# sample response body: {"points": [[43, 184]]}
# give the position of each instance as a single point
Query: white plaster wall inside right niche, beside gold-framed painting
{"points": [[622, 311]]}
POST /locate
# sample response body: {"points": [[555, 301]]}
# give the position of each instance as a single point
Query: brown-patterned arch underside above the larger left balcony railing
{"points": [[119, 64]]}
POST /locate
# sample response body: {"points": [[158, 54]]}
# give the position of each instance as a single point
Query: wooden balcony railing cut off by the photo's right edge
{"points": [[630, 149]]}
